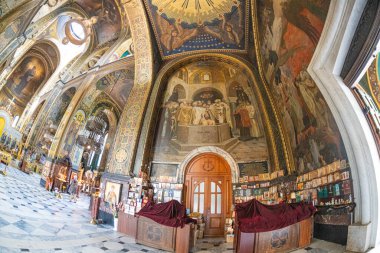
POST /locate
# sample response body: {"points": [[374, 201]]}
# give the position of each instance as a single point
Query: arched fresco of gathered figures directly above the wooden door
{"points": [[209, 103]]}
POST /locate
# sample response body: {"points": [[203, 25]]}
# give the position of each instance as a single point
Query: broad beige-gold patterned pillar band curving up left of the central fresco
{"points": [[130, 124]]}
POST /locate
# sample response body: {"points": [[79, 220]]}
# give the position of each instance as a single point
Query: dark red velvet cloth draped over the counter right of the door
{"points": [[253, 216]]}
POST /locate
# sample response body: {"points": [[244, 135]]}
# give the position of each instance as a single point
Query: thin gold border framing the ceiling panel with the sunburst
{"points": [[172, 56]]}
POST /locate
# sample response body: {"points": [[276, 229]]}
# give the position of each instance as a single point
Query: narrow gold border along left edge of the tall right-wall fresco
{"points": [[289, 159]]}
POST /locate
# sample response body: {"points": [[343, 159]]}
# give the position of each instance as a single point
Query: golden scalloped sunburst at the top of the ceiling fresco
{"points": [[194, 11]]}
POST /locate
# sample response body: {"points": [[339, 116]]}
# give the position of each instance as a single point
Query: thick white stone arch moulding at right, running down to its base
{"points": [[361, 149]]}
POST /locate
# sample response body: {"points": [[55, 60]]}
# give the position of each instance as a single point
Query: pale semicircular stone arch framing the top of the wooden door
{"points": [[209, 149]]}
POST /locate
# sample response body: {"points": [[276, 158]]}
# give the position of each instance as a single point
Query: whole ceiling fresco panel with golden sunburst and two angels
{"points": [[195, 25]]}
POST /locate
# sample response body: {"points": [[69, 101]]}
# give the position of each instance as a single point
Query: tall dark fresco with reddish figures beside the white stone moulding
{"points": [[288, 34]]}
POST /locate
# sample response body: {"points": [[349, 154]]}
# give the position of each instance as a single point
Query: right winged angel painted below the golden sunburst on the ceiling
{"points": [[229, 31]]}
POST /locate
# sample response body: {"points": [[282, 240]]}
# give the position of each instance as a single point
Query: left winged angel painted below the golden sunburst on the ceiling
{"points": [[173, 36]]}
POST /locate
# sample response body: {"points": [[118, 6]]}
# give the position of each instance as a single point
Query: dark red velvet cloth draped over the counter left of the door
{"points": [[171, 214]]}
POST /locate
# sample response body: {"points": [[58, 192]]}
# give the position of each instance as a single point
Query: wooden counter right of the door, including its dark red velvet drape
{"points": [[263, 228]]}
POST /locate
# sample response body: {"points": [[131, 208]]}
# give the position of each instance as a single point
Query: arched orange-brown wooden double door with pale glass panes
{"points": [[209, 191]]}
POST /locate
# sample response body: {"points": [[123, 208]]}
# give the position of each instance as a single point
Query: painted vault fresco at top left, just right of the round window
{"points": [[109, 20]]}
